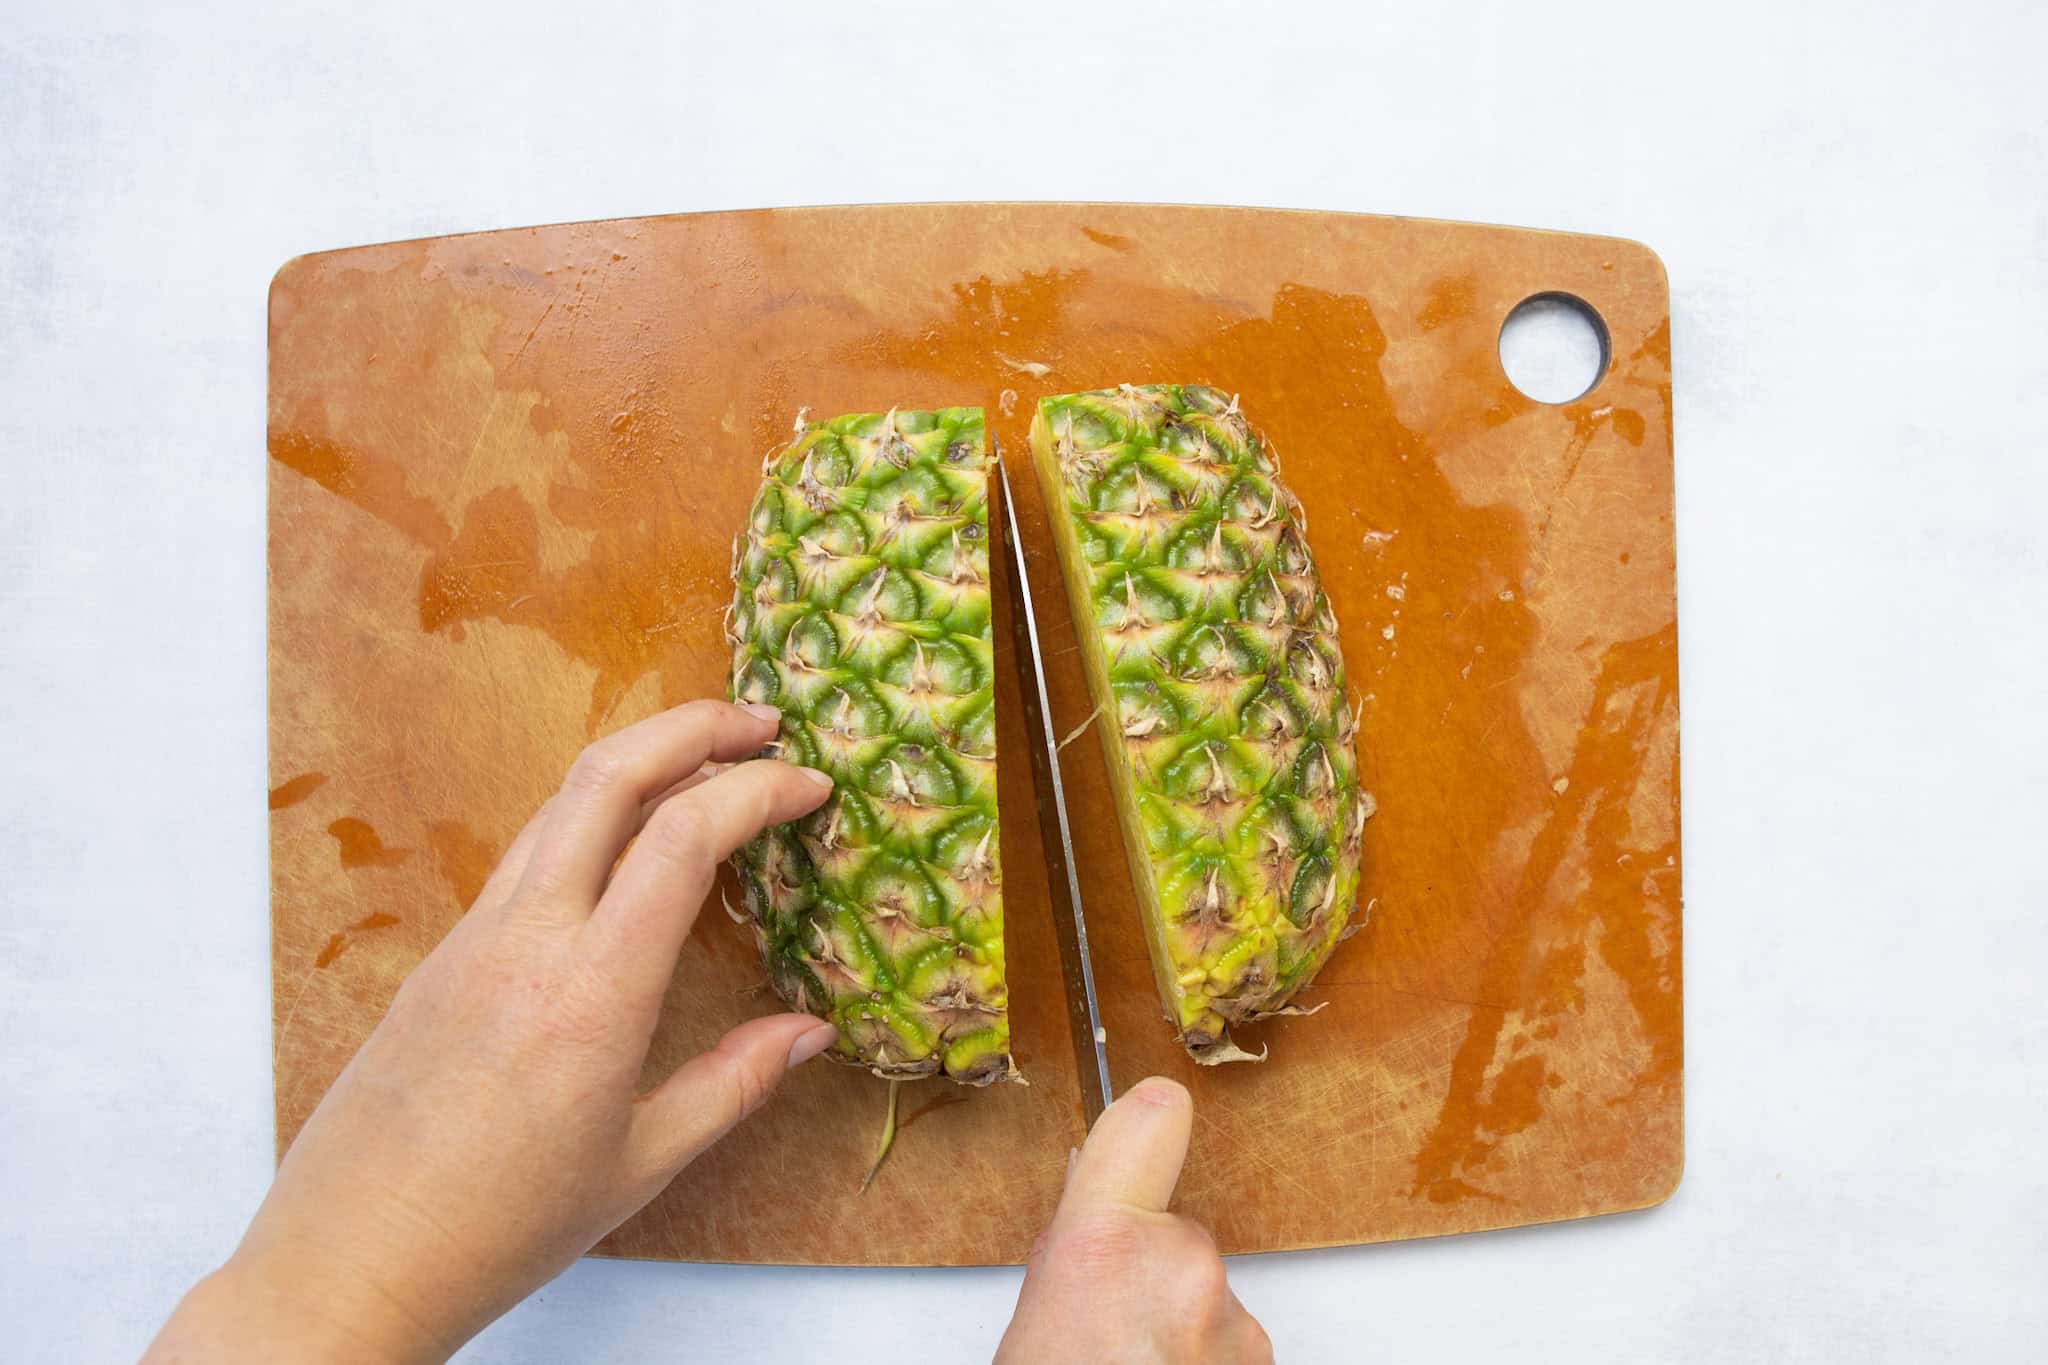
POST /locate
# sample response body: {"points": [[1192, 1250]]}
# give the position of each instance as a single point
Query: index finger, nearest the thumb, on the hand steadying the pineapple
{"points": [[658, 889]]}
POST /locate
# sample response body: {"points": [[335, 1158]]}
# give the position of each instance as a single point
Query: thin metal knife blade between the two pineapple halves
{"points": [[1084, 1014]]}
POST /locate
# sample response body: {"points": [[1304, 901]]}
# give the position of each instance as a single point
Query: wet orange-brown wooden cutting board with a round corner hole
{"points": [[505, 478]]}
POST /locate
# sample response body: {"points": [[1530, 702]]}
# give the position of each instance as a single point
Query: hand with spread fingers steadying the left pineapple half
{"points": [[493, 1129]]}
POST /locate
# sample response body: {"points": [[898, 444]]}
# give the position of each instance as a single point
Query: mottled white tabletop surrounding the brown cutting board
{"points": [[1854, 214]]}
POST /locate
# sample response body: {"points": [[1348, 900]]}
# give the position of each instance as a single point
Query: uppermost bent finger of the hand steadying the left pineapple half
{"points": [[601, 801]]}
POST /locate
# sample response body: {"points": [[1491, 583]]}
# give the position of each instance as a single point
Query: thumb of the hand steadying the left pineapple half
{"points": [[714, 1092]]}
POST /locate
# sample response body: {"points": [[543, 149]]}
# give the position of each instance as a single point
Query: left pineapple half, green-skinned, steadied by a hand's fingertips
{"points": [[863, 613]]}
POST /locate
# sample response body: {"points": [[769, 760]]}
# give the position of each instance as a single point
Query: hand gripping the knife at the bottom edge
{"points": [[1117, 1278]]}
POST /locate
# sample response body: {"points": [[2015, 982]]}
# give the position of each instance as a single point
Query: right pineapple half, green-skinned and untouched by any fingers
{"points": [[1222, 703]]}
